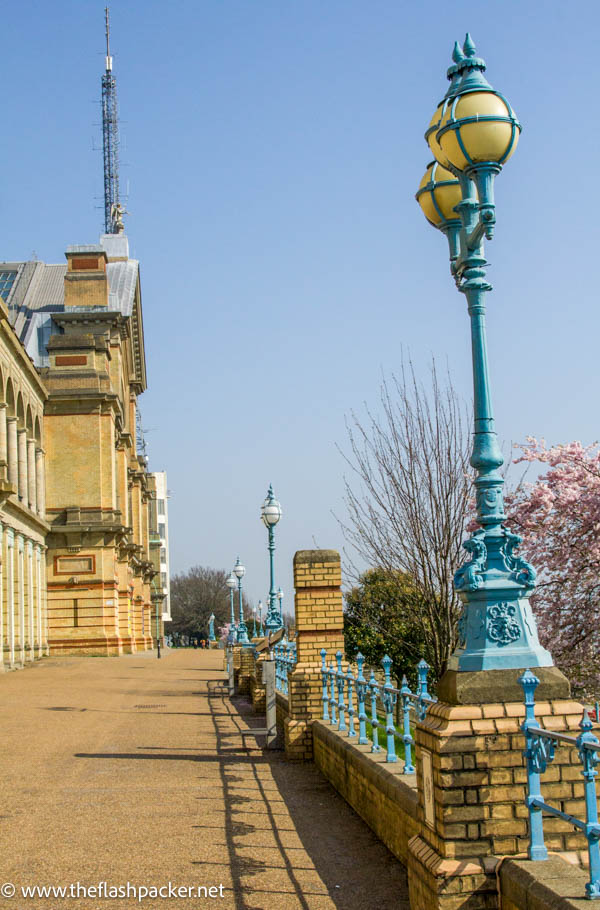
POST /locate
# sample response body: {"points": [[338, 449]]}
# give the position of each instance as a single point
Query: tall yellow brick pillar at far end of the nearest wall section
{"points": [[319, 624]]}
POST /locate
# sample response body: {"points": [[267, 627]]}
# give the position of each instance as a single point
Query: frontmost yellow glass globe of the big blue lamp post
{"points": [[478, 127]]}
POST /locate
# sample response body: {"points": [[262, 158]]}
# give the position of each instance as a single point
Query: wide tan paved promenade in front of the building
{"points": [[133, 770]]}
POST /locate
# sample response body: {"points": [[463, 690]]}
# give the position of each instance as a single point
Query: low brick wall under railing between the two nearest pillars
{"points": [[379, 791]]}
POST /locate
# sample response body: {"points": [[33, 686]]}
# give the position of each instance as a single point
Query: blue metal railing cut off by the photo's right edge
{"points": [[540, 745]]}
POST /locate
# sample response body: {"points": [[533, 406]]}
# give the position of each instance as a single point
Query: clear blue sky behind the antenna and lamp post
{"points": [[272, 151]]}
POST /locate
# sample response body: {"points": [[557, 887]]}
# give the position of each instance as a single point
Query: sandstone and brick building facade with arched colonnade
{"points": [[76, 496]]}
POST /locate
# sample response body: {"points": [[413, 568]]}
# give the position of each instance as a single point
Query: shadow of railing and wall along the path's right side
{"points": [[322, 852]]}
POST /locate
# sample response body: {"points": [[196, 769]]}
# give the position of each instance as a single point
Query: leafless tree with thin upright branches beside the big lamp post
{"points": [[408, 493]]}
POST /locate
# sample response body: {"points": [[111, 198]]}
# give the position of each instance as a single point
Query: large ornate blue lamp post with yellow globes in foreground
{"points": [[473, 132]]}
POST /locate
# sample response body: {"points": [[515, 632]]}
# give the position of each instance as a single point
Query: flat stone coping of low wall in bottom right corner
{"points": [[552, 884]]}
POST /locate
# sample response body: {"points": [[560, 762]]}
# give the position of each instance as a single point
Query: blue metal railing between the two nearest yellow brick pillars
{"points": [[336, 705]]}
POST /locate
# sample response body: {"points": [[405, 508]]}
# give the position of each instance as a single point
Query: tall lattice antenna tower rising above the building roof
{"points": [[113, 210]]}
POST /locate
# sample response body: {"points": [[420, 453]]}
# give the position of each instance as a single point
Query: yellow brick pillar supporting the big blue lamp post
{"points": [[471, 780]]}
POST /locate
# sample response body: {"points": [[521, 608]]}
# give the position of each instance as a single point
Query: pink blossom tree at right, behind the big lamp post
{"points": [[558, 517]]}
